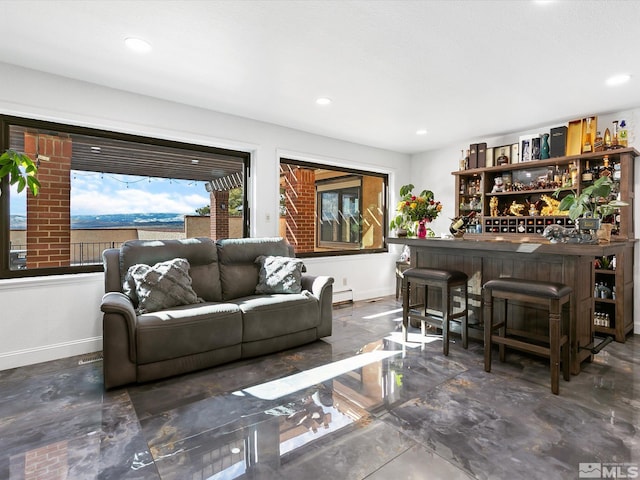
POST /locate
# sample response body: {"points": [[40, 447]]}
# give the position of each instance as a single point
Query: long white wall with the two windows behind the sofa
{"points": [[63, 316]]}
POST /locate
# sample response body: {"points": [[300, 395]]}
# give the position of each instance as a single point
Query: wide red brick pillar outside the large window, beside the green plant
{"points": [[49, 214]]}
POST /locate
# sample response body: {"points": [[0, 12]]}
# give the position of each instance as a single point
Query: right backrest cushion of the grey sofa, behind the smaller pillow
{"points": [[238, 270]]}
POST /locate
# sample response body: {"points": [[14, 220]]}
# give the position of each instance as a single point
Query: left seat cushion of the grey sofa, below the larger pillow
{"points": [[185, 330]]}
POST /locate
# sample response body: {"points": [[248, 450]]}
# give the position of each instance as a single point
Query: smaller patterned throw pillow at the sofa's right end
{"points": [[279, 274]]}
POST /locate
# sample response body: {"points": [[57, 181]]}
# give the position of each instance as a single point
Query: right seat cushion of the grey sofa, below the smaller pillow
{"points": [[268, 316]]}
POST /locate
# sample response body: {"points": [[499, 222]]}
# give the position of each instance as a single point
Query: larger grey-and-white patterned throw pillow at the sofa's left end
{"points": [[164, 285]]}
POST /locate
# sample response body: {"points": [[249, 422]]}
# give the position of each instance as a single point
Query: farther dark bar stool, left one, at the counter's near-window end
{"points": [[447, 281]]}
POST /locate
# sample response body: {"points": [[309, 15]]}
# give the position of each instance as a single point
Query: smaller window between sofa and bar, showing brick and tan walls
{"points": [[330, 210]]}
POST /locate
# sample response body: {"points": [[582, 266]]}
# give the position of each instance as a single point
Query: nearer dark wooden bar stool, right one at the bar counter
{"points": [[556, 297]]}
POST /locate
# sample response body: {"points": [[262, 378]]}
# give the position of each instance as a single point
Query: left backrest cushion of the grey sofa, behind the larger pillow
{"points": [[201, 254]]}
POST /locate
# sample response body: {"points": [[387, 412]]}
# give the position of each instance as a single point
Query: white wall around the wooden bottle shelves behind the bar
{"points": [[439, 179]]}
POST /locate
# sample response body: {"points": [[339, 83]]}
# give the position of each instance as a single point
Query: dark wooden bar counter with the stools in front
{"points": [[571, 264]]}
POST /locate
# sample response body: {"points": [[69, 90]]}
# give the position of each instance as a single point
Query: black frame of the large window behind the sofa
{"points": [[7, 120]]}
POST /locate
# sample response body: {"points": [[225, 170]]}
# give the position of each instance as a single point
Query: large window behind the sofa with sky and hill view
{"points": [[99, 189]]}
